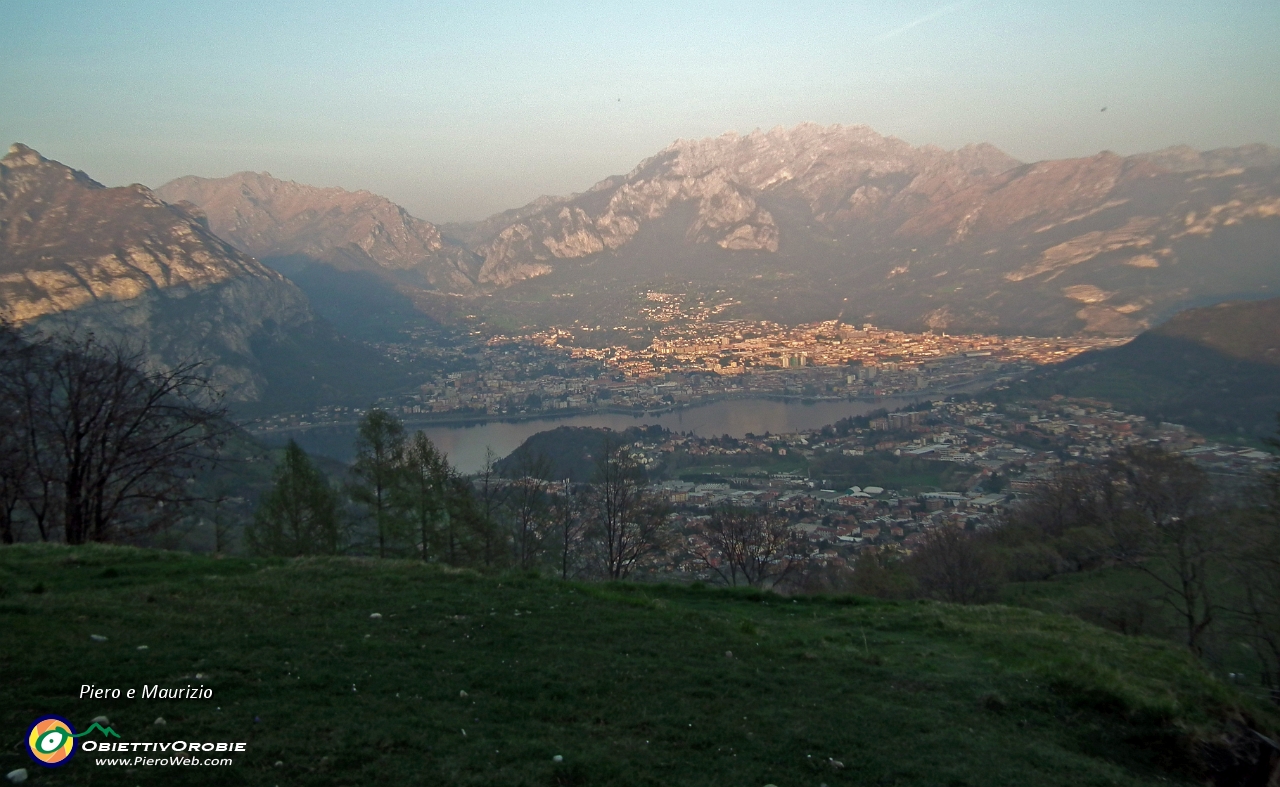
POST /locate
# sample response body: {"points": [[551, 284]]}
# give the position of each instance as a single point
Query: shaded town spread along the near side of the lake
{"points": [[881, 483]]}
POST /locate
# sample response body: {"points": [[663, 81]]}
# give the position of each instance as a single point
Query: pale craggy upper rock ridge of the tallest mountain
{"points": [[838, 173]]}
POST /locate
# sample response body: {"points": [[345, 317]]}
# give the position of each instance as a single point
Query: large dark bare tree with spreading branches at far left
{"points": [[112, 442]]}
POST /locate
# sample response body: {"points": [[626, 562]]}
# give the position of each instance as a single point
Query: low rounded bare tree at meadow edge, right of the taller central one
{"points": [[748, 547]]}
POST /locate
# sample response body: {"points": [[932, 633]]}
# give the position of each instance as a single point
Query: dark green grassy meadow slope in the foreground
{"points": [[468, 680]]}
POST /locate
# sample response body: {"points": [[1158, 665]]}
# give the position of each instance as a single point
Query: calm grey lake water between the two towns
{"points": [[467, 445]]}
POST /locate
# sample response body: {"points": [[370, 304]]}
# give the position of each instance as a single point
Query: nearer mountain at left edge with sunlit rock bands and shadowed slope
{"points": [[122, 262]]}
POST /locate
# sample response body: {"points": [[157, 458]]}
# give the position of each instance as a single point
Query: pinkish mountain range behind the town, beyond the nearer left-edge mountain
{"points": [[811, 223]]}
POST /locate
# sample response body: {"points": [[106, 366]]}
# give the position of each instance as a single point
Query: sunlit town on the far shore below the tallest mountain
{"points": [[692, 360]]}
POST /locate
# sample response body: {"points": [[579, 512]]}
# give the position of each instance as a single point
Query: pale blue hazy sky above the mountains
{"points": [[459, 111]]}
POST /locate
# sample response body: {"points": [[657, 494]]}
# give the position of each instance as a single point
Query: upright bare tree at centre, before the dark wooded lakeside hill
{"points": [[630, 525]]}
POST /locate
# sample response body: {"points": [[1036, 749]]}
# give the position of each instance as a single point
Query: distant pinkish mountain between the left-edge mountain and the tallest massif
{"points": [[276, 219]]}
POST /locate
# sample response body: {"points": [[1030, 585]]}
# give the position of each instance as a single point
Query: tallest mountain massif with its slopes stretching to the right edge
{"points": [[871, 228]]}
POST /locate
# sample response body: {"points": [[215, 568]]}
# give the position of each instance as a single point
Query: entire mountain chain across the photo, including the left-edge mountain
{"points": [[267, 277]]}
